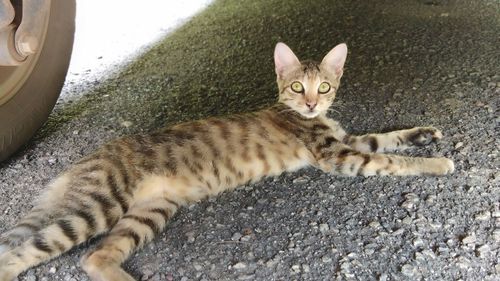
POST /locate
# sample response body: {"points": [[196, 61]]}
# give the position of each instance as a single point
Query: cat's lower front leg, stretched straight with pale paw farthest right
{"points": [[342, 159]]}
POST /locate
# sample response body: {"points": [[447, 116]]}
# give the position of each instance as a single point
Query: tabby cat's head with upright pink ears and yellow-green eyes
{"points": [[308, 87]]}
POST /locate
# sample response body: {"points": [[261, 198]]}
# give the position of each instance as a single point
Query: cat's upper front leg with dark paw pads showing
{"points": [[401, 139]]}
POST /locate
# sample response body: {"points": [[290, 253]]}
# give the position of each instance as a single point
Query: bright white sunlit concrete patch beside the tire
{"points": [[107, 38]]}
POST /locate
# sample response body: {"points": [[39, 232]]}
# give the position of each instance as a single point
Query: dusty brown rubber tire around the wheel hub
{"points": [[30, 107]]}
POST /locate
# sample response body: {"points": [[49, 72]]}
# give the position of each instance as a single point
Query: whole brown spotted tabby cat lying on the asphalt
{"points": [[131, 187]]}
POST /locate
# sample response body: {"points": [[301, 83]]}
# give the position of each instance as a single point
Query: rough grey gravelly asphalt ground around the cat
{"points": [[427, 62]]}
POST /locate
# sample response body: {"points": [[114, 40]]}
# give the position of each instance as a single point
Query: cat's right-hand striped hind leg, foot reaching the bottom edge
{"points": [[138, 226]]}
